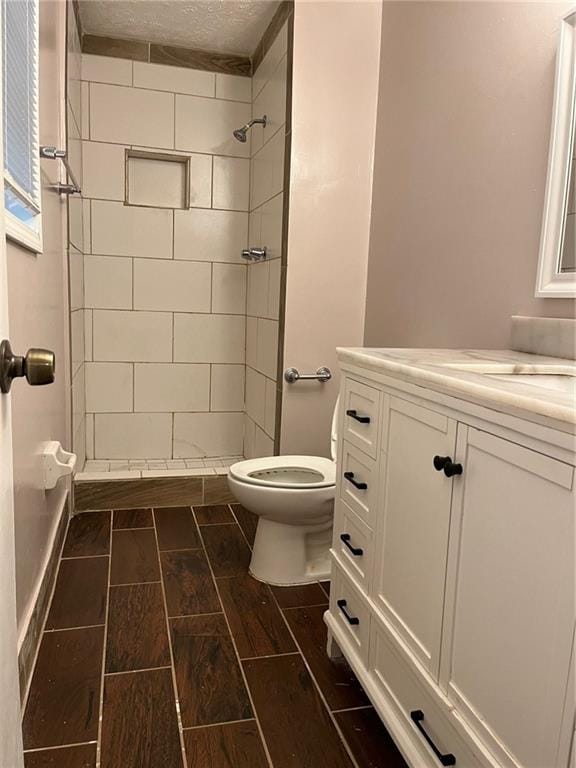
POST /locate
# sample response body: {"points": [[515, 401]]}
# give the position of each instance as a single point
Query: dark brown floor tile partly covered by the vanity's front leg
{"points": [[335, 678]]}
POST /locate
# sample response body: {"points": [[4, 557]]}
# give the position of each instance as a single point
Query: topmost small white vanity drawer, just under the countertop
{"points": [[362, 409]]}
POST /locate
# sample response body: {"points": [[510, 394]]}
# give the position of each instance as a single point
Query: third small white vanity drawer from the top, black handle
{"points": [[353, 544]]}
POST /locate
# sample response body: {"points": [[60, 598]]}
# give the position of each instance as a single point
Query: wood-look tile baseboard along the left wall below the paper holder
{"points": [[28, 644]]}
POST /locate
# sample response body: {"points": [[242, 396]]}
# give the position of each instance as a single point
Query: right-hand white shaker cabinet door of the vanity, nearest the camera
{"points": [[510, 599]]}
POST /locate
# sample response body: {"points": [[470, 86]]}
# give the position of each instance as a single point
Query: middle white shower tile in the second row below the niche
{"points": [[172, 286]]}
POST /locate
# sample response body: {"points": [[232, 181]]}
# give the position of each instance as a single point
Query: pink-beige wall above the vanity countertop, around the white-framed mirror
{"points": [[462, 137]]}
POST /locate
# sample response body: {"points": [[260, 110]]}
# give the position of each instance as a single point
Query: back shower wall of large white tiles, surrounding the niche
{"points": [[164, 287]]}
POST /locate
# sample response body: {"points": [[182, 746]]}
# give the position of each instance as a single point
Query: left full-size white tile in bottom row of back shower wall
{"points": [[133, 435]]}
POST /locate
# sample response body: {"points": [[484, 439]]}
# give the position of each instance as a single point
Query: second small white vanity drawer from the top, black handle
{"points": [[358, 482]]}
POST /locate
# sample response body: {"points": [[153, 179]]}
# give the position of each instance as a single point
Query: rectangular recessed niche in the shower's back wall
{"points": [[157, 179]]}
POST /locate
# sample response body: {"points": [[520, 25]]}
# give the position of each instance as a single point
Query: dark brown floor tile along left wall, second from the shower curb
{"points": [[80, 593]]}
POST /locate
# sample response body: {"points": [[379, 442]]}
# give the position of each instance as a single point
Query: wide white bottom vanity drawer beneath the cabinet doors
{"points": [[421, 711]]}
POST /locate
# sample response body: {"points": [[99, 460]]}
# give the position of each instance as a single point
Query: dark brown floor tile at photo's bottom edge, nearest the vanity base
{"points": [[368, 739]]}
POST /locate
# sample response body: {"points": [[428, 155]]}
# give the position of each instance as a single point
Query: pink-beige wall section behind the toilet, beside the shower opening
{"points": [[335, 88]]}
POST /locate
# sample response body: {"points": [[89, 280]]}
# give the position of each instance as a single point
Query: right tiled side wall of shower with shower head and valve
{"points": [[267, 203]]}
